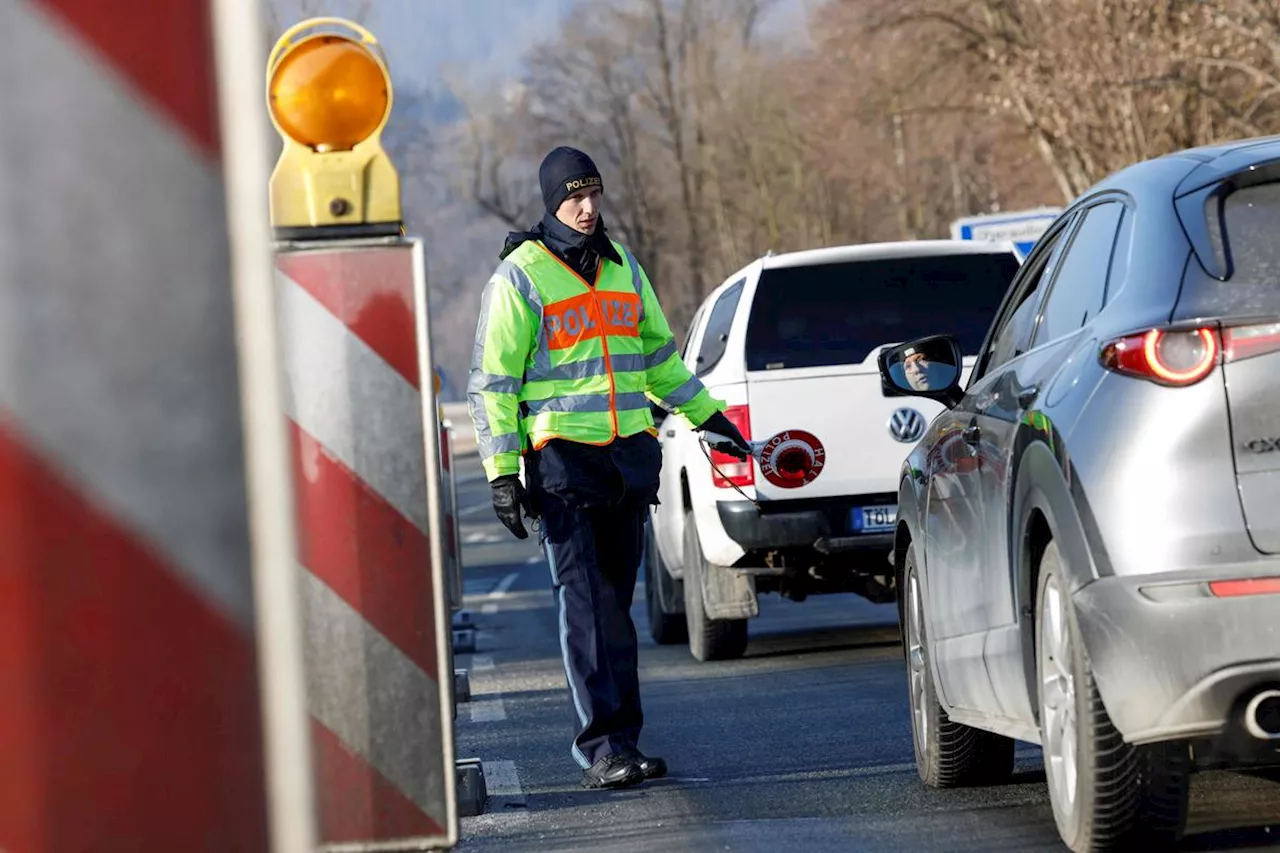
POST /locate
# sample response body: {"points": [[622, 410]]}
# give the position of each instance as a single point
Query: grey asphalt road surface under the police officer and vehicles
{"points": [[802, 746]]}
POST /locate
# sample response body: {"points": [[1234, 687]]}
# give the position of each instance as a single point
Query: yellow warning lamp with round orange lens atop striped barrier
{"points": [[330, 95]]}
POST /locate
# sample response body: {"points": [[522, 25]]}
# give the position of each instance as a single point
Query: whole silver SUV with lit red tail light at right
{"points": [[1089, 539]]}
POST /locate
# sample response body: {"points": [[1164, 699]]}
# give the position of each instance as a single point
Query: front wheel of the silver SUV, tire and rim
{"points": [[948, 754]]}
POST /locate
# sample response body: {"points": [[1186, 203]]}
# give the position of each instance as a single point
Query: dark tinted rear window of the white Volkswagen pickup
{"points": [[838, 314]]}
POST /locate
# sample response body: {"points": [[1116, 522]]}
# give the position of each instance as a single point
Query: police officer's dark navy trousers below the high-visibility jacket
{"points": [[595, 503]]}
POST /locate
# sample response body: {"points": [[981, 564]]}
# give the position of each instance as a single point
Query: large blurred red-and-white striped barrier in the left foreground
{"points": [[130, 704]]}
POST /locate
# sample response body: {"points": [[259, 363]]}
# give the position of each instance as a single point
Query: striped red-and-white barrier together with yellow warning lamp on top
{"points": [[364, 416]]}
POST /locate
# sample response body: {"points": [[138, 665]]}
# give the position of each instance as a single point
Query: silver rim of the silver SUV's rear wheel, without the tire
{"points": [[1058, 699]]}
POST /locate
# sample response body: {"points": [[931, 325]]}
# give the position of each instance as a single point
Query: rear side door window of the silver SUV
{"points": [[1080, 286]]}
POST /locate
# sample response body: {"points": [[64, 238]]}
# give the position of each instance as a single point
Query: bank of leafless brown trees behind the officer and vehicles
{"points": [[720, 147]]}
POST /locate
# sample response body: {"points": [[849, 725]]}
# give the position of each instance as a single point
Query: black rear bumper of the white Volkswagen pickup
{"points": [[821, 527]]}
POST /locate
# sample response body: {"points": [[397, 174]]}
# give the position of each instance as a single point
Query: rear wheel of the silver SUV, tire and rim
{"points": [[1107, 795]]}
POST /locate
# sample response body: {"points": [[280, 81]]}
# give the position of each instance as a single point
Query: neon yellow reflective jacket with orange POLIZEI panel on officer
{"points": [[559, 358]]}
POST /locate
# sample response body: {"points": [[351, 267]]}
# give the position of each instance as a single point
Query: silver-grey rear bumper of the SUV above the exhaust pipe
{"points": [[1181, 668]]}
